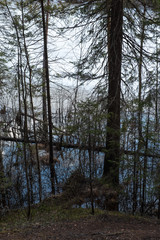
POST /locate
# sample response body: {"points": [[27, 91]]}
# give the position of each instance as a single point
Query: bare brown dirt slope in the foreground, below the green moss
{"points": [[102, 227]]}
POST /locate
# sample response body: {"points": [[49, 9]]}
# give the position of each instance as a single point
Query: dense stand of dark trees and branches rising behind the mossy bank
{"points": [[79, 105]]}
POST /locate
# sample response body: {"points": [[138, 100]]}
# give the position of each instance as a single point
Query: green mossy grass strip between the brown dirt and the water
{"points": [[48, 211]]}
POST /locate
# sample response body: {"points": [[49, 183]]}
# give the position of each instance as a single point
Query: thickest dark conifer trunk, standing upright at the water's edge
{"points": [[112, 155]]}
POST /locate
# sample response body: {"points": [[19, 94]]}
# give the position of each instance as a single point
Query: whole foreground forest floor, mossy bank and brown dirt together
{"points": [[50, 222]]}
